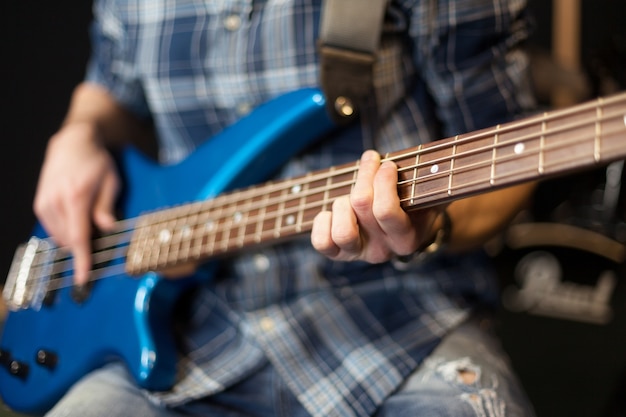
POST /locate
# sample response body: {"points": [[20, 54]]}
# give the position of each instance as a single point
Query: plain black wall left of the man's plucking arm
{"points": [[44, 48]]}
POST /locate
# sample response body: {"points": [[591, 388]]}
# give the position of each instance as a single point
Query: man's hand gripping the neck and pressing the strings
{"points": [[369, 224]]}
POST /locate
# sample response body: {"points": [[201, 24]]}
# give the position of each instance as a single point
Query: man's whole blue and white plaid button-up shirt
{"points": [[343, 335]]}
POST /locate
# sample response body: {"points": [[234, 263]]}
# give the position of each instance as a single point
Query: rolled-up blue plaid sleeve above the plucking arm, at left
{"points": [[113, 54]]}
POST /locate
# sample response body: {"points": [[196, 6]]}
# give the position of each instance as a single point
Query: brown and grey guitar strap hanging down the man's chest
{"points": [[350, 33]]}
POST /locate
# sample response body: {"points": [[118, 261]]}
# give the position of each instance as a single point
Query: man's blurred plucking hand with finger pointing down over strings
{"points": [[77, 189]]}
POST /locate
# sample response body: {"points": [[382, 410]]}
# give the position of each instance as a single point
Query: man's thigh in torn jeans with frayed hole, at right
{"points": [[467, 375]]}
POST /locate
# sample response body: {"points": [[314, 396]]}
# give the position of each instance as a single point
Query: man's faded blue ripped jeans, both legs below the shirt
{"points": [[467, 375]]}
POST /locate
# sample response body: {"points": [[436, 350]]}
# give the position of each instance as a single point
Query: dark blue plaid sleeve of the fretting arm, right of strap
{"points": [[469, 55]]}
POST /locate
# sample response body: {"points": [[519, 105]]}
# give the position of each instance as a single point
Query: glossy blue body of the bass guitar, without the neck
{"points": [[128, 318]]}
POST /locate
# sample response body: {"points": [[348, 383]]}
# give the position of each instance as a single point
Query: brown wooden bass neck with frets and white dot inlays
{"points": [[546, 145]]}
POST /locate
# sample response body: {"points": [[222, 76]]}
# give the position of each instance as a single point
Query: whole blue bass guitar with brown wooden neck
{"points": [[54, 335]]}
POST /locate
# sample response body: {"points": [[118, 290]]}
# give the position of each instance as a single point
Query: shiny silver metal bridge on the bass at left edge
{"points": [[27, 283]]}
